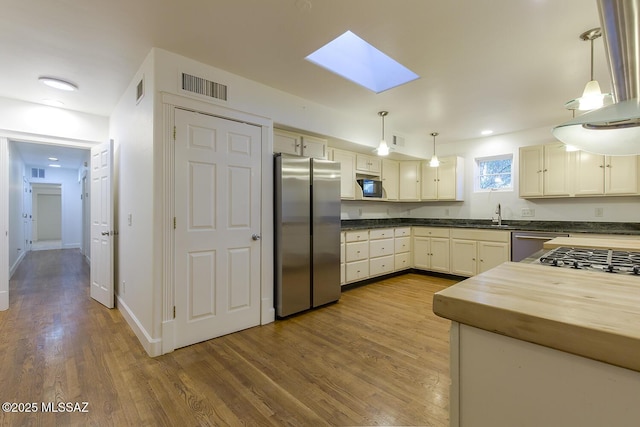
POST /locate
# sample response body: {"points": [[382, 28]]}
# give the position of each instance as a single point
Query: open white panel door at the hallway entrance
{"points": [[101, 224]]}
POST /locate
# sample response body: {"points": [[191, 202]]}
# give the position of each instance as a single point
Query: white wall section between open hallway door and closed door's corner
{"points": [[131, 127]]}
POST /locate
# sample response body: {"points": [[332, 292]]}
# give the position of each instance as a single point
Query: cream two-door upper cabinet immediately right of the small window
{"points": [[544, 171]]}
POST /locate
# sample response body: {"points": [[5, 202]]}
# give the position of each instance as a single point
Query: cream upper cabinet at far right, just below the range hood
{"points": [[597, 175]]}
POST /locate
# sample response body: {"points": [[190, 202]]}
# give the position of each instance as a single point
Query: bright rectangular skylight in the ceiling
{"points": [[354, 59]]}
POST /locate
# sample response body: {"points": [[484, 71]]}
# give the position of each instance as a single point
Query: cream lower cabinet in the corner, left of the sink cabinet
{"points": [[431, 249]]}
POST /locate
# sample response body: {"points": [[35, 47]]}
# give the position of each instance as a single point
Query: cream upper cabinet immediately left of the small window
{"points": [[446, 182]]}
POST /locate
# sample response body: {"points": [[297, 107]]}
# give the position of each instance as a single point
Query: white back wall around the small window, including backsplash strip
{"points": [[482, 205]]}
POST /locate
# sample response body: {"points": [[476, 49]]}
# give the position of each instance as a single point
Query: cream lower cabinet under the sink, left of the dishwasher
{"points": [[476, 251]]}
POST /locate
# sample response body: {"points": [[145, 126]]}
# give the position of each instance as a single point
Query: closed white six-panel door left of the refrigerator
{"points": [[217, 226]]}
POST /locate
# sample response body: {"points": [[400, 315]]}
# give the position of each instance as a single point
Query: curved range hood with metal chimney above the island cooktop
{"points": [[614, 129]]}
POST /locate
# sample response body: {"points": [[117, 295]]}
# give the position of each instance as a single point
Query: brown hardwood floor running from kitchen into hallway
{"points": [[377, 357]]}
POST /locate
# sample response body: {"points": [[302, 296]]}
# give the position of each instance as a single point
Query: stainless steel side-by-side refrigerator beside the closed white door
{"points": [[307, 233]]}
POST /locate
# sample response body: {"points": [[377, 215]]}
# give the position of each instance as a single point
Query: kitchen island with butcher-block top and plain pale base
{"points": [[533, 345]]}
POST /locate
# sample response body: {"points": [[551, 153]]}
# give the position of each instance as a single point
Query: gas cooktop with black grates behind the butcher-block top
{"points": [[605, 260]]}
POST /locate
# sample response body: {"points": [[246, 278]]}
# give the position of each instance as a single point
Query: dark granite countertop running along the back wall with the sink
{"points": [[628, 228]]}
